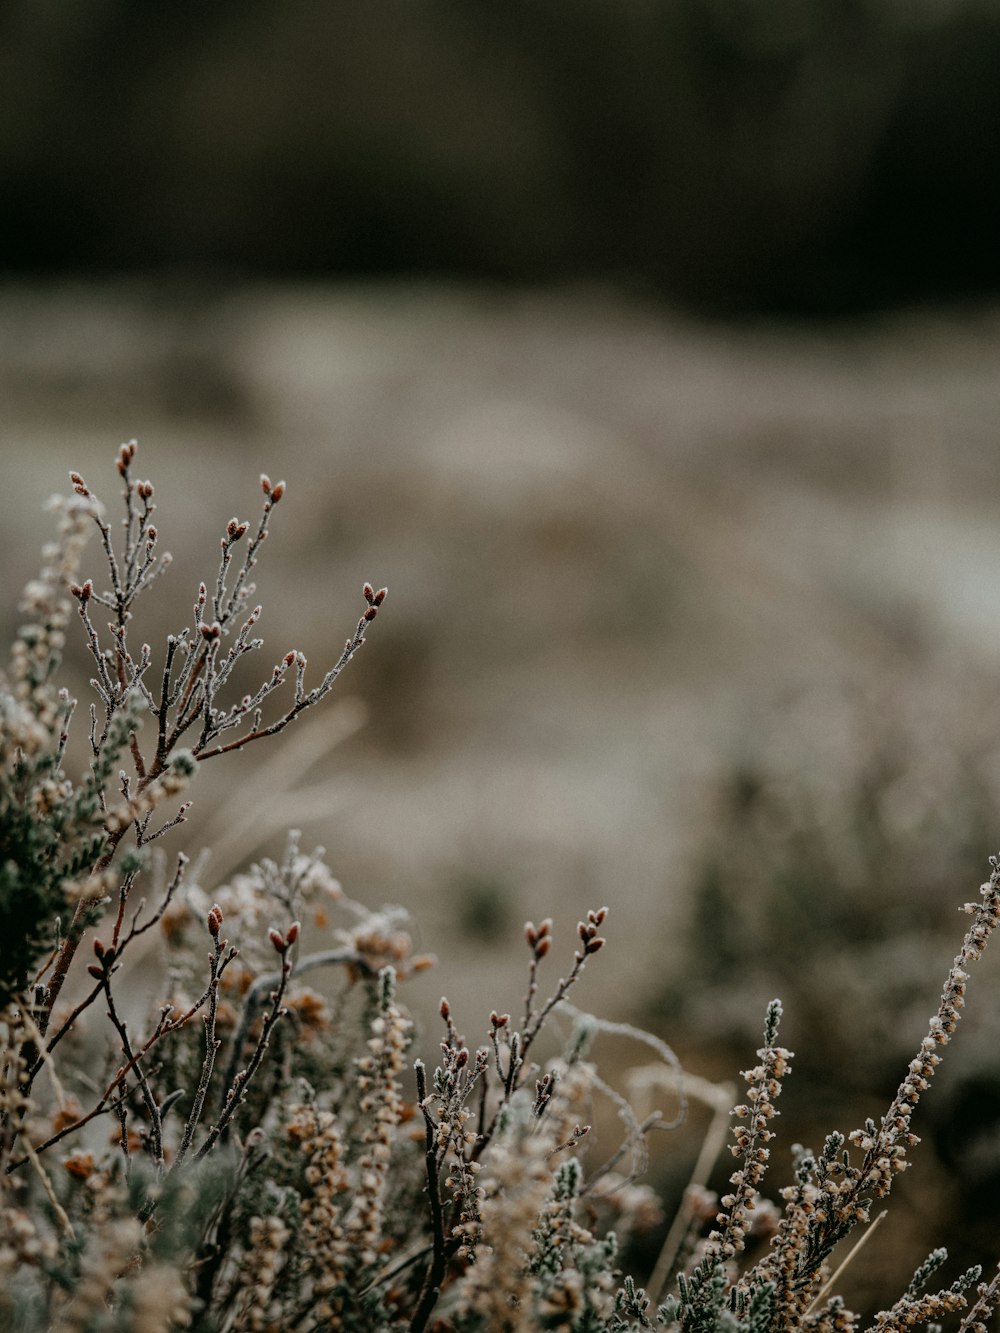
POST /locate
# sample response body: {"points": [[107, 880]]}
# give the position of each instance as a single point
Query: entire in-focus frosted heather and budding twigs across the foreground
{"points": [[259, 1154]]}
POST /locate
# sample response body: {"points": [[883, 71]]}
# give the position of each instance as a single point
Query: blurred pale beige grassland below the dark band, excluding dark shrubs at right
{"points": [[627, 557]]}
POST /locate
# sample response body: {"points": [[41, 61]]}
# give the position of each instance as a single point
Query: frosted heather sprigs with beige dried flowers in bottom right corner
{"points": [[831, 1196]]}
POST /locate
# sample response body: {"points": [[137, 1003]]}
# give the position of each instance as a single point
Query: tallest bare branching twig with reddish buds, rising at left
{"points": [[186, 700]]}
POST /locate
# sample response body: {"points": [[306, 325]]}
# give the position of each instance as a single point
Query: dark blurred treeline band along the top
{"points": [[809, 157]]}
